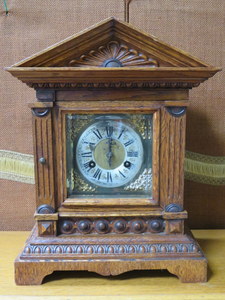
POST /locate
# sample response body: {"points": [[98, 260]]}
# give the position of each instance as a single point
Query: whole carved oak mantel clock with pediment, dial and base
{"points": [[109, 143]]}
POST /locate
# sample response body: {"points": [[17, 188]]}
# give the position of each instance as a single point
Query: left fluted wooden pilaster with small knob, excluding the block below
{"points": [[42, 124]]}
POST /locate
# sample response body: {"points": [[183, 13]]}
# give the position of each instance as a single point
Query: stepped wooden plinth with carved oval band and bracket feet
{"points": [[179, 254]]}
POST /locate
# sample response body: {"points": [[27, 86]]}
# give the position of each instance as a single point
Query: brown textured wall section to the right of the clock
{"points": [[198, 27]]}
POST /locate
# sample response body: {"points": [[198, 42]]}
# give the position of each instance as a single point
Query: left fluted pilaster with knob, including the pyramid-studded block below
{"points": [[44, 163]]}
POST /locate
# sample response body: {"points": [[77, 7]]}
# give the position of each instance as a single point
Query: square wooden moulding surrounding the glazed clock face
{"points": [[115, 107]]}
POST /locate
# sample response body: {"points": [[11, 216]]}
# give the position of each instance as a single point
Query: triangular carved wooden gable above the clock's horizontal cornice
{"points": [[111, 39]]}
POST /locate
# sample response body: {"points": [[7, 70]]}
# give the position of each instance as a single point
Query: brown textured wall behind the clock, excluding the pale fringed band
{"points": [[197, 26]]}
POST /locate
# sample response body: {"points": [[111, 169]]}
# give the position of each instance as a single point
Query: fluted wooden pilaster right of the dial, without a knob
{"points": [[172, 152]]}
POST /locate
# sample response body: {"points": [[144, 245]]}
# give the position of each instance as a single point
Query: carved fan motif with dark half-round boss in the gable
{"points": [[114, 54]]}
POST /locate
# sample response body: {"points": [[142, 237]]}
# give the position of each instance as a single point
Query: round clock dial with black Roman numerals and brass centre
{"points": [[109, 153]]}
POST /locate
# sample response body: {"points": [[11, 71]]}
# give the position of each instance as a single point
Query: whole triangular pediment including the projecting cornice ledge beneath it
{"points": [[106, 45]]}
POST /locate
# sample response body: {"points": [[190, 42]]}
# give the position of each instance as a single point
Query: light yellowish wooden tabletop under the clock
{"points": [[135, 285]]}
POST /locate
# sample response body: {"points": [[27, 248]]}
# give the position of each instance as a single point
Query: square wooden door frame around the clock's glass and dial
{"points": [[106, 107]]}
